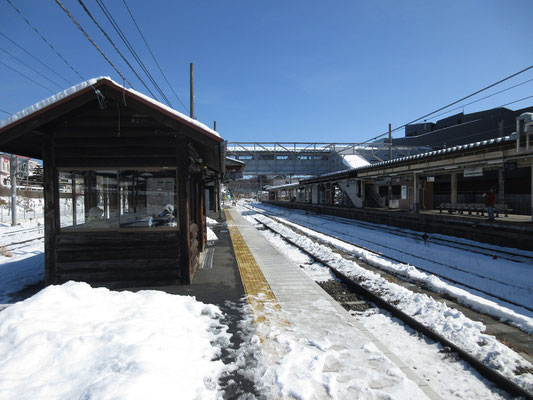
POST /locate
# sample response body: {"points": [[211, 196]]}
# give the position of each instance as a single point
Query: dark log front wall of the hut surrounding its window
{"points": [[114, 258]]}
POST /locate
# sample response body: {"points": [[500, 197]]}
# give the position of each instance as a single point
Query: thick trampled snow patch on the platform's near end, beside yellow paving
{"points": [[316, 360]]}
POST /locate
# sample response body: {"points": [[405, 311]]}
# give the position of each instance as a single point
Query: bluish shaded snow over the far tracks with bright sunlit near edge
{"points": [[502, 278]]}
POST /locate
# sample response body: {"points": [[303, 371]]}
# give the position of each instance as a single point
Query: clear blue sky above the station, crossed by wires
{"points": [[288, 70]]}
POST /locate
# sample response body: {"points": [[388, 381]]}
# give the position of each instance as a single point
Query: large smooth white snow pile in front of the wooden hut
{"points": [[73, 341]]}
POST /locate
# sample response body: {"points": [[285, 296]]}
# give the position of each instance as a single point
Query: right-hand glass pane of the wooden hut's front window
{"points": [[148, 198]]}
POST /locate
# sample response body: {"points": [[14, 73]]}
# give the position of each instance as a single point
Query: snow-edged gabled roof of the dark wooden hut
{"points": [[22, 133]]}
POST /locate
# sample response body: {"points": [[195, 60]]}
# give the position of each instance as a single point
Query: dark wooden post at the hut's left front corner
{"points": [[51, 210]]}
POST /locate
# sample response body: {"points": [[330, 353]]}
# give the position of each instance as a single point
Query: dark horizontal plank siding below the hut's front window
{"points": [[116, 259]]}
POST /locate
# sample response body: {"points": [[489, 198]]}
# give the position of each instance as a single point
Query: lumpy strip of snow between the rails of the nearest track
{"points": [[449, 322]]}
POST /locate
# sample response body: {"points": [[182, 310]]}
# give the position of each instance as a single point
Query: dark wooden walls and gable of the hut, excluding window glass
{"points": [[123, 131]]}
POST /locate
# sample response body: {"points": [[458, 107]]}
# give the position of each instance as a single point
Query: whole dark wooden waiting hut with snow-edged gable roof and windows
{"points": [[124, 184]]}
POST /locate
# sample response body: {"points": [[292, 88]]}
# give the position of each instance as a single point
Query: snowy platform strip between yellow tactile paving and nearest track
{"points": [[322, 349]]}
